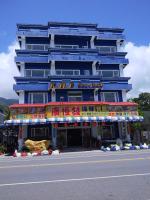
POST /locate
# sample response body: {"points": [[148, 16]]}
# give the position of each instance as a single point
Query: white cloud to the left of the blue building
{"points": [[8, 70]]}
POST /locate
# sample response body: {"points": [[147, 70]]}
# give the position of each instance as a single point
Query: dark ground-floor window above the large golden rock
{"points": [[40, 132]]}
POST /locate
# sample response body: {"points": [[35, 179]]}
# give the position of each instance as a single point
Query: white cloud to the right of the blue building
{"points": [[138, 68]]}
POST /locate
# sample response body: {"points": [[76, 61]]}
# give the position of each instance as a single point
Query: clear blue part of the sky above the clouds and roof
{"points": [[133, 15]]}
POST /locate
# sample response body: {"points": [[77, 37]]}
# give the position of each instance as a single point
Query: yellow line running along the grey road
{"points": [[73, 163]]}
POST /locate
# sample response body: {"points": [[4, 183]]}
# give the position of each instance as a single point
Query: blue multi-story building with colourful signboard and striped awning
{"points": [[72, 87]]}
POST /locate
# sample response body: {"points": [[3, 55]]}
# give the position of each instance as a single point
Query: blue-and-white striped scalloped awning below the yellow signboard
{"points": [[75, 119]]}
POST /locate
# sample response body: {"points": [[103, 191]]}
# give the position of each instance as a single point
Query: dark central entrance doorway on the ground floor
{"points": [[74, 137]]}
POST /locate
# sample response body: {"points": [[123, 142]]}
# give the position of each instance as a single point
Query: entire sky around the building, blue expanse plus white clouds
{"points": [[132, 15]]}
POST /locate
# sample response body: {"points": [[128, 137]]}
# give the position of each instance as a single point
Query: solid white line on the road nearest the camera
{"points": [[74, 179]]}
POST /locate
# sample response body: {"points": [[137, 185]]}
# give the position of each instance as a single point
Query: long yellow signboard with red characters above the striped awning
{"points": [[72, 111]]}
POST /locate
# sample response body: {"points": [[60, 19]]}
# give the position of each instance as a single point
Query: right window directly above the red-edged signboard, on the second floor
{"points": [[109, 96]]}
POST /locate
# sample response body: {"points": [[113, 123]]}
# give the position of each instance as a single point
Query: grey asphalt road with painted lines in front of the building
{"points": [[77, 176]]}
